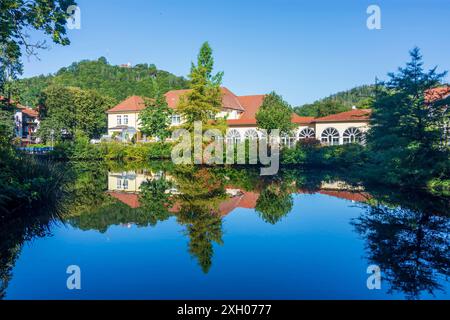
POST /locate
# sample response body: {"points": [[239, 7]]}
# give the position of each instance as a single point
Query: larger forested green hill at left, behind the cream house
{"points": [[118, 82]]}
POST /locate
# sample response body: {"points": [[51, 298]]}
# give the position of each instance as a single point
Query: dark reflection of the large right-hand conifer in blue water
{"points": [[411, 247]]}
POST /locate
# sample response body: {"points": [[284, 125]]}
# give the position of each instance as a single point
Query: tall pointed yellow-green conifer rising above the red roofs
{"points": [[204, 99]]}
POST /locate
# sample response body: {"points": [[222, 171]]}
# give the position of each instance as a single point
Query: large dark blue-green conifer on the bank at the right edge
{"points": [[405, 139]]}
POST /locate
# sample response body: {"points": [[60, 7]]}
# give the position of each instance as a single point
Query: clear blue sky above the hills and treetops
{"points": [[304, 50]]}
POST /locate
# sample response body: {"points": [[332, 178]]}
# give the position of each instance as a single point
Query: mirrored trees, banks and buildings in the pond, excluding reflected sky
{"points": [[406, 235]]}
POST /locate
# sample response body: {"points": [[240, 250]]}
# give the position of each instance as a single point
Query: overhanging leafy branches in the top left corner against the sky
{"points": [[19, 16]]}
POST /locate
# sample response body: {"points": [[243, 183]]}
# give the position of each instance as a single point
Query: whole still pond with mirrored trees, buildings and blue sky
{"points": [[157, 231]]}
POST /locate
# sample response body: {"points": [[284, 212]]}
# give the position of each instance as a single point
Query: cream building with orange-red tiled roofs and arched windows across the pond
{"points": [[240, 113]]}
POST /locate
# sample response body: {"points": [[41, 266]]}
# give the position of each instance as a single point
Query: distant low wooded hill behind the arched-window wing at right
{"points": [[342, 101]]}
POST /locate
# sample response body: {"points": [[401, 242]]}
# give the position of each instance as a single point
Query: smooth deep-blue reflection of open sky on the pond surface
{"points": [[313, 252]]}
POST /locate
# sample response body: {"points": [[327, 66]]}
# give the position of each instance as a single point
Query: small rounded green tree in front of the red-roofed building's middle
{"points": [[275, 113]]}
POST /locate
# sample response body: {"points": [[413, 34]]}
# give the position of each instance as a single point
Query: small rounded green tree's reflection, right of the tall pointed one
{"points": [[274, 202]]}
